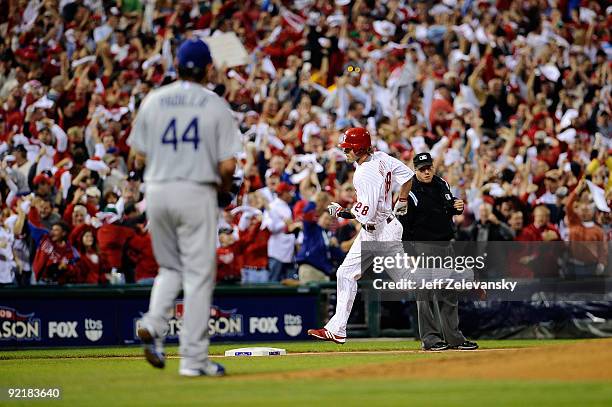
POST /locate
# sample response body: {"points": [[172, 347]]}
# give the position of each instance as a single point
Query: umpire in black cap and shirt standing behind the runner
{"points": [[429, 219]]}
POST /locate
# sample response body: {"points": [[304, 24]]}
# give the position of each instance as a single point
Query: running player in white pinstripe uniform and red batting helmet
{"points": [[374, 178]]}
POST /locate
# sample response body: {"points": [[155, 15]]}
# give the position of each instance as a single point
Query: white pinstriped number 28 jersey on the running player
{"points": [[374, 181]]}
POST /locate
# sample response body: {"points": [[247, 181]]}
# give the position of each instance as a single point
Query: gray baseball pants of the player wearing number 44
{"points": [[183, 224]]}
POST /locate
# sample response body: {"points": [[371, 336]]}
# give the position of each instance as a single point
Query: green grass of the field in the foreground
{"points": [[89, 381]]}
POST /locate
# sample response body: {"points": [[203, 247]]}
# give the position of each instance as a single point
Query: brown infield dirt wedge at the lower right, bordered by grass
{"points": [[588, 360]]}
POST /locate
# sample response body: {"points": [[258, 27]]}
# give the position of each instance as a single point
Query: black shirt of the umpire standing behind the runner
{"points": [[430, 212]]}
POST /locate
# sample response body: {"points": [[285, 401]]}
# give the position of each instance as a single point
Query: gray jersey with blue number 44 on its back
{"points": [[185, 130]]}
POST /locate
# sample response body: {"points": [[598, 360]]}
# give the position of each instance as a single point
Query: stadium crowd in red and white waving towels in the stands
{"points": [[511, 98]]}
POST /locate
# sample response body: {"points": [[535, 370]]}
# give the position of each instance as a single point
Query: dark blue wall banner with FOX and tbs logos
{"points": [[65, 322]]}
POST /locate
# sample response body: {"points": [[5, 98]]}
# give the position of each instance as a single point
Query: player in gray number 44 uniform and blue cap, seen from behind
{"points": [[190, 139]]}
